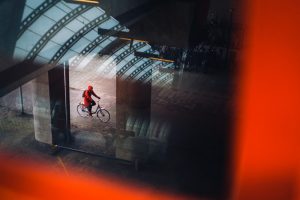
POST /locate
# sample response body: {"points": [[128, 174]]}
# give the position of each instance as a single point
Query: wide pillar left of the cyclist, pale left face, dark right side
{"points": [[51, 109]]}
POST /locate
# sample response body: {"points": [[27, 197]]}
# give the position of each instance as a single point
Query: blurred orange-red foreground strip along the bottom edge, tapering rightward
{"points": [[20, 180]]}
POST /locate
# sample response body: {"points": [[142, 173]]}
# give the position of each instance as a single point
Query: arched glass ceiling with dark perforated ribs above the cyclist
{"points": [[54, 31]]}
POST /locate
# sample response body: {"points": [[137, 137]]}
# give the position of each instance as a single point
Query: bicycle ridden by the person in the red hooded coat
{"points": [[102, 113]]}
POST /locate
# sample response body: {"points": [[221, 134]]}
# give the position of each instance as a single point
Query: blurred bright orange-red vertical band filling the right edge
{"points": [[268, 127]]}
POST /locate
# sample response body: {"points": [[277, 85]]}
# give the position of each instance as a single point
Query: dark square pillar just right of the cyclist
{"points": [[133, 105]]}
